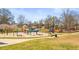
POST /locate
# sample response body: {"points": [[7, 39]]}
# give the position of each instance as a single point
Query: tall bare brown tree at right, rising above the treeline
{"points": [[69, 19]]}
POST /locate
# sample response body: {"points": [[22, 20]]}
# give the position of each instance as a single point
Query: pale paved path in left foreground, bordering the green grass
{"points": [[5, 42]]}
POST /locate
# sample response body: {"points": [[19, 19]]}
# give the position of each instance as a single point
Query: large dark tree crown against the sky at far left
{"points": [[6, 16]]}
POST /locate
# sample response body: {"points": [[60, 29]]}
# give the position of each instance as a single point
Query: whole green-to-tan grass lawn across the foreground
{"points": [[68, 42]]}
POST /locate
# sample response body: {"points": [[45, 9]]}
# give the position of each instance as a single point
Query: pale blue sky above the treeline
{"points": [[36, 14]]}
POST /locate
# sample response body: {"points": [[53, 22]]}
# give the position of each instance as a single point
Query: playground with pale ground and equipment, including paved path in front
{"points": [[10, 34]]}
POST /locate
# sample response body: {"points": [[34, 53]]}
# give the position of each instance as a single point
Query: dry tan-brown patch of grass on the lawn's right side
{"points": [[72, 38]]}
